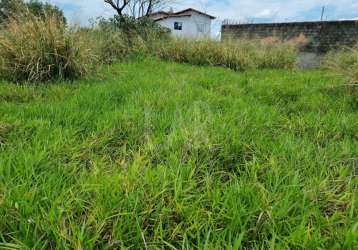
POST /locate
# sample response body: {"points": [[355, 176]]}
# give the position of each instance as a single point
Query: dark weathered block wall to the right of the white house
{"points": [[322, 36]]}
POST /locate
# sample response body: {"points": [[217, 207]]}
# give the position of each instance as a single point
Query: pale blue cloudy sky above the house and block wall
{"points": [[80, 11]]}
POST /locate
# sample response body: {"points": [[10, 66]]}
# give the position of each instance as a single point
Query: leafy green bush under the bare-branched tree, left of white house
{"points": [[115, 40]]}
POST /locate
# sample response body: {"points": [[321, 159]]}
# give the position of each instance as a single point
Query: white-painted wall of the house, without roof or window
{"points": [[195, 26]]}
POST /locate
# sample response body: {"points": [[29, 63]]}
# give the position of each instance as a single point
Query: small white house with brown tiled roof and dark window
{"points": [[189, 23]]}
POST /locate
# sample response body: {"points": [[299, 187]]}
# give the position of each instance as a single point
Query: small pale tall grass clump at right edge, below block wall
{"points": [[344, 62]]}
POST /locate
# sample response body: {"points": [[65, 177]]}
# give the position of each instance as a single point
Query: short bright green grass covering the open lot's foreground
{"points": [[161, 155]]}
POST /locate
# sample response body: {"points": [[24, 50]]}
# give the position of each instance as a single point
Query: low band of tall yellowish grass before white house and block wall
{"points": [[237, 54]]}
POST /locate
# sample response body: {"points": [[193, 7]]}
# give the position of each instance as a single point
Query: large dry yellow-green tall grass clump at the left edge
{"points": [[41, 49]]}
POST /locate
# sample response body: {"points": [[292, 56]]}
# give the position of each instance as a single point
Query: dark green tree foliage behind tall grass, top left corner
{"points": [[40, 9]]}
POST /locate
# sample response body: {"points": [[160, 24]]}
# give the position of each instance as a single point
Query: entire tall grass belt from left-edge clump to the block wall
{"points": [[43, 49]]}
